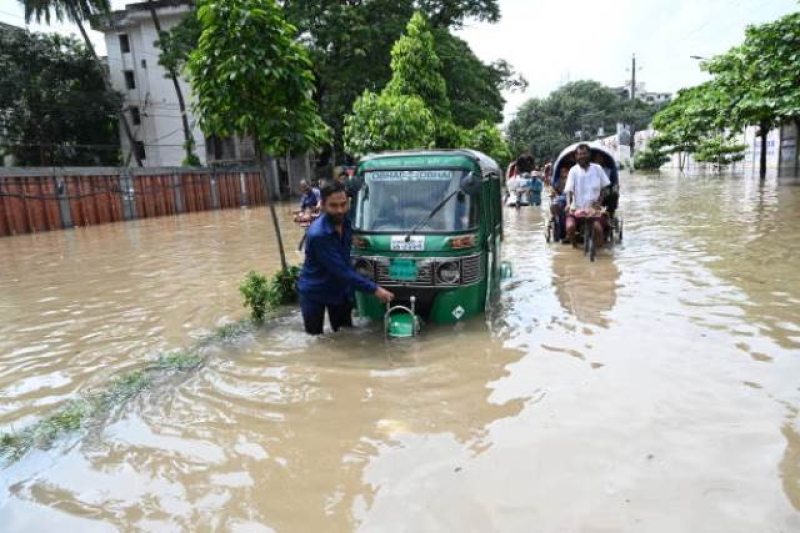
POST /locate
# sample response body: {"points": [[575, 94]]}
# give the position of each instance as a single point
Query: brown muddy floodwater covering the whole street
{"points": [[655, 390]]}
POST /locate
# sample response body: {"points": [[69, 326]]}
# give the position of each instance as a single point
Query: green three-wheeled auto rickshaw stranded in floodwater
{"points": [[427, 225]]}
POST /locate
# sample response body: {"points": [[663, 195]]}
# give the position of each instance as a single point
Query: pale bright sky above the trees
{"points": [[551, 42]]}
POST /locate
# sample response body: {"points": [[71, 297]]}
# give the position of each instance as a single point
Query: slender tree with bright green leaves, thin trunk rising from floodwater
{"points": [[253, 78]]}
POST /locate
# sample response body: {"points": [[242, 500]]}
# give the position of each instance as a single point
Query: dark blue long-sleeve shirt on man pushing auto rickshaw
{"points": [[327, 276]]}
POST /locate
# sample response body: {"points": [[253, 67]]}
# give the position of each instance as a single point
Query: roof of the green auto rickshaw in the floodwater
{"points": [[466, 159]]}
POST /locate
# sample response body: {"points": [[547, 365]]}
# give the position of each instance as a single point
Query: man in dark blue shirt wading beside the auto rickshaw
{"points": [[328, 280]]}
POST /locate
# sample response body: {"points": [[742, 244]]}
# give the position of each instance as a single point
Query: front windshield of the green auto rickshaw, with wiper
{"points": [[398, 200]]}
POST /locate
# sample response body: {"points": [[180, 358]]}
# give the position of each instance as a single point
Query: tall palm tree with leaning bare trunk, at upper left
{"points": [[78, 11]]}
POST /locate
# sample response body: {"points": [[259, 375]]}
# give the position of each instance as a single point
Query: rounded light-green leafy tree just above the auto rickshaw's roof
{"points": [[388, 122]]}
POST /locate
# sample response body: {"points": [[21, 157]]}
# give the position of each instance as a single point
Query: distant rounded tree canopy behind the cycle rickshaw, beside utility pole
{"points": [[581, 109]]}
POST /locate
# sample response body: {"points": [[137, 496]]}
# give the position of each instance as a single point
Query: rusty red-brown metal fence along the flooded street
{"points": [[48, 199]]}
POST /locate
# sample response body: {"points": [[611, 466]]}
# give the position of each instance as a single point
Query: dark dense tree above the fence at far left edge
{"points": [[54, 106]]}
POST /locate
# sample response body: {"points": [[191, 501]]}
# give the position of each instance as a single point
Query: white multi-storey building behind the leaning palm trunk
{"points": [[151, 104]]}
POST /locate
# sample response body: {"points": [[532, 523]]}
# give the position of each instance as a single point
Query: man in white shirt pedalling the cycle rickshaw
{"points": [[584, 189]]}
